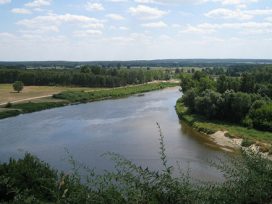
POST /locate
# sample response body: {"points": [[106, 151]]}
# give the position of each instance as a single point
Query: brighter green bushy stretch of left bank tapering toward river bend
{"points": [[79, 96]]}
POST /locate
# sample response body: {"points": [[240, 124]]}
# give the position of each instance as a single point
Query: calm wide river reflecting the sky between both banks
{"points": [[126, 126]]}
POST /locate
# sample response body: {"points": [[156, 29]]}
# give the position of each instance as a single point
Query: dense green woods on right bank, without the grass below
{"points": [[240, 94]]}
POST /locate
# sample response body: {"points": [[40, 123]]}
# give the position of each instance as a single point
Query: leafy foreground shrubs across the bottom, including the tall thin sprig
{"points": [[29, 180]]}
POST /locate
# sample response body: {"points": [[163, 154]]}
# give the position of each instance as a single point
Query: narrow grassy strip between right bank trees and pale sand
{"points": [[210, 127]]}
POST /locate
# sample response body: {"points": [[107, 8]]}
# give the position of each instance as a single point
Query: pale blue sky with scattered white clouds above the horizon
{"points": [[88, 30]]}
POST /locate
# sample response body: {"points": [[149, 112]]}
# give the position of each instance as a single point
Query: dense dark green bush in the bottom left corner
{"points": [[27, 179]]}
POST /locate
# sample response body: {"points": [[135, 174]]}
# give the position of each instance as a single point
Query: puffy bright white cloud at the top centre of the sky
{"points": [[146, 12]]}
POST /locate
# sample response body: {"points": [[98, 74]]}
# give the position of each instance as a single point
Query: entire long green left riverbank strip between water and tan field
{"points": [[79, 96]]}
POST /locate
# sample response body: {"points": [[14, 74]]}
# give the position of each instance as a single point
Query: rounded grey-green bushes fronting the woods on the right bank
{"points": [[230, 106]]}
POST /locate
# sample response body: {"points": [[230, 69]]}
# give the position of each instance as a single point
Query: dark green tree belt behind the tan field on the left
{"points": [[89, 76]]}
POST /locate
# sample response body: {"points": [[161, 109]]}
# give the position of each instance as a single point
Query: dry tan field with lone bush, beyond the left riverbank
{"points": [[7, 93]]}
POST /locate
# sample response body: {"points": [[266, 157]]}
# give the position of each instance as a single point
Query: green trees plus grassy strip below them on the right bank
{"points": [[239, 103]]}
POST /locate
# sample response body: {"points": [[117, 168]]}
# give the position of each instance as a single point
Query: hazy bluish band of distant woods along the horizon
{"points": [[169, 63]]}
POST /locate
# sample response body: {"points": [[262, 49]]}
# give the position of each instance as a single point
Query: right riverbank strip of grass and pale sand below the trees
{"points": [[227, 136]]}
